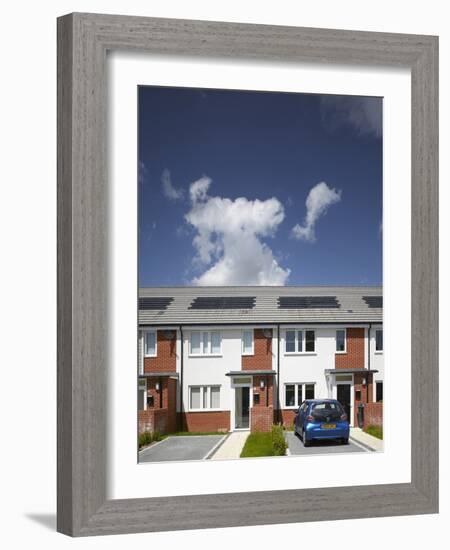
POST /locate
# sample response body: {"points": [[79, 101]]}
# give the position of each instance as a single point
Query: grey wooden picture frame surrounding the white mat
{"points": [[83, 42]]}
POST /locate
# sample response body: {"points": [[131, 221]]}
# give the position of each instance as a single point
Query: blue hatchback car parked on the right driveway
{"points": [[321, 419]]}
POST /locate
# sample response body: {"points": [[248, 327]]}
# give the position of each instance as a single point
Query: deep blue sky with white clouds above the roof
{"points": [[242, 187]]}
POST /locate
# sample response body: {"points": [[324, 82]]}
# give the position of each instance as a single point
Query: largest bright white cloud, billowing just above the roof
{"points": [[228, 240]]}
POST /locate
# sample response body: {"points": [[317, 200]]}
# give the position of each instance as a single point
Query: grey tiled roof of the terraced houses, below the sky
{"points": [[352, 307]]}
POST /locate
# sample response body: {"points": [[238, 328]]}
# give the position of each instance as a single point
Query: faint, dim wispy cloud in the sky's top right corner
{"points": [[364, 114]]}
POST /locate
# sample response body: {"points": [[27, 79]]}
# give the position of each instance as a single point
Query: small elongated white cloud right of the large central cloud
{"points": [[319, 199]]}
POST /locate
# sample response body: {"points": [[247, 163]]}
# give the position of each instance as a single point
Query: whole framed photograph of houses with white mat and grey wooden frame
{"points": [[247, 274]]}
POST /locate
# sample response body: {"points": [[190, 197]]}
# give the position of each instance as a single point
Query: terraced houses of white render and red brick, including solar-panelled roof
{"points": [[239, 358]]}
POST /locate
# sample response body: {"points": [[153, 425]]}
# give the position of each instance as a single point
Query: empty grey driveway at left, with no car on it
{"points": [[176, 448]]}
